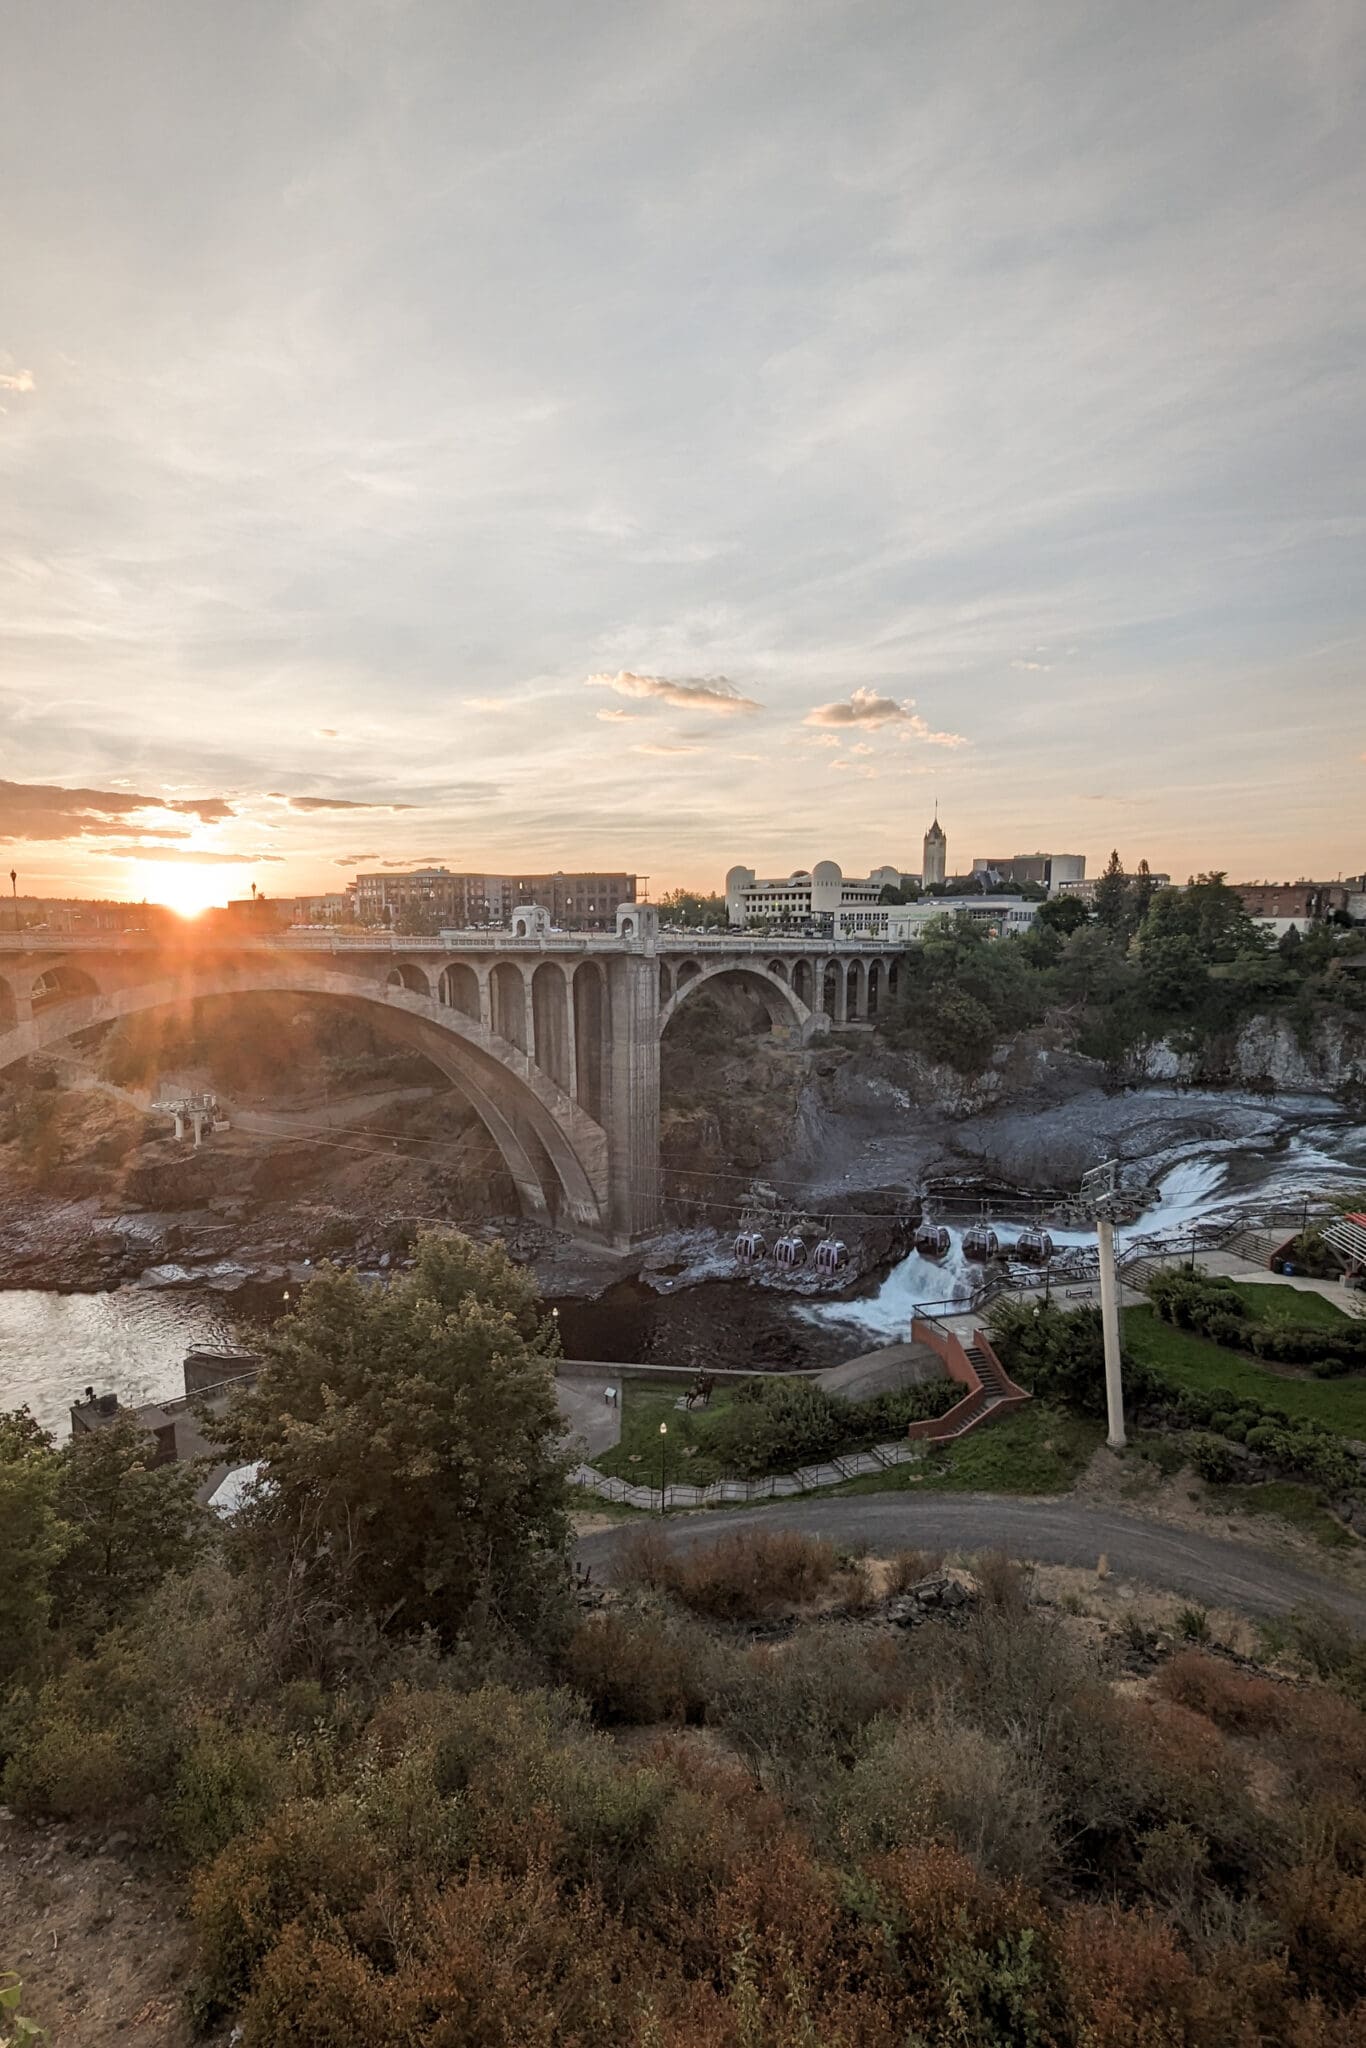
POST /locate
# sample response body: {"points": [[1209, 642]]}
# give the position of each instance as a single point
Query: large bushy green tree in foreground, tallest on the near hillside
{"points": [[411, 1445]]}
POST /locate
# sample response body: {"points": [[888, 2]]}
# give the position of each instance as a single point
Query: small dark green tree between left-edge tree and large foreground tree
{"points": [[130, 1519]]}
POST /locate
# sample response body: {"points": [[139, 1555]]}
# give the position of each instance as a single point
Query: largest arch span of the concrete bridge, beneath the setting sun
{"points": [[556, 1152]]}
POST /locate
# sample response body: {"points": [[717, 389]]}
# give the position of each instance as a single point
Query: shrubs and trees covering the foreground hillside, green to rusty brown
{"points": [[421, 1795]]}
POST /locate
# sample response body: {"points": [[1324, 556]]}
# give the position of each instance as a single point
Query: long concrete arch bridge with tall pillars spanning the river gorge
{"points": [[552, 1037]]}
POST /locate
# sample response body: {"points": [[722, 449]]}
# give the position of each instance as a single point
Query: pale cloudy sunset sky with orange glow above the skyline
{"points": [[679, 435]]}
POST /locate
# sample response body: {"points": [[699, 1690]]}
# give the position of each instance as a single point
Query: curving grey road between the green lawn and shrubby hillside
{"points": [[1199, 1568]]}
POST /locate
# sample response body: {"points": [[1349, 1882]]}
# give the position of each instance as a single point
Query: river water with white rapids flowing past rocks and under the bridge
{"points": [[134, 1340]]}
